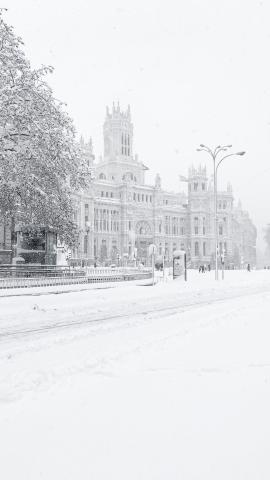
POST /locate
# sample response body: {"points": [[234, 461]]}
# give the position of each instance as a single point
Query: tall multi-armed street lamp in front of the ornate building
{"points": [[217, 161]]}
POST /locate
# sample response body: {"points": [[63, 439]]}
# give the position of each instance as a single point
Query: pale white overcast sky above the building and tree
{"points": [[193, 71]]}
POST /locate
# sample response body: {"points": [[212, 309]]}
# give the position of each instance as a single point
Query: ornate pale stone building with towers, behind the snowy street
{"points": [[120, 215]]}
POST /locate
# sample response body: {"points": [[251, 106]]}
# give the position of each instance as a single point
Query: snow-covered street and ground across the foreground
{"points": [[132, 382]]}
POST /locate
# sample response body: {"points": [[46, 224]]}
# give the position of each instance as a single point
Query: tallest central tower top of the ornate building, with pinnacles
{"points": [[118, 134]]}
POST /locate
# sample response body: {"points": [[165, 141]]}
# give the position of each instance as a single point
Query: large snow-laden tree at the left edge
{"points": [[40, 161]]}
